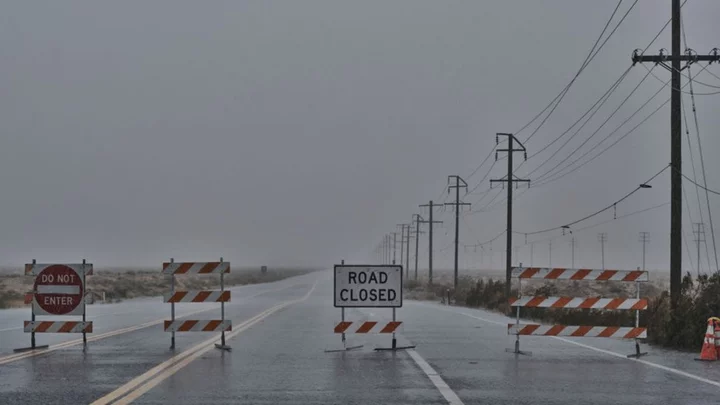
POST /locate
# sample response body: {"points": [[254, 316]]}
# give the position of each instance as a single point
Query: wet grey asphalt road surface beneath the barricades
{"points": [[280, 359]]}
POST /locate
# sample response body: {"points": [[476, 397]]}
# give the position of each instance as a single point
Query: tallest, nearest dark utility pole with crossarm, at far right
{"points": [[675, 58]]}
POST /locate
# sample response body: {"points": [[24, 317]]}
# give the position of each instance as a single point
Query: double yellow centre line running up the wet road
{"points": [[138, 386]]}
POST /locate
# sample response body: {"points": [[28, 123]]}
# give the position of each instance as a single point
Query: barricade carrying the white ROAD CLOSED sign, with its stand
{"points": [[368, 286]]}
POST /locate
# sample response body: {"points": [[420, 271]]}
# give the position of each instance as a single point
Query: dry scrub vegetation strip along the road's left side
{"points": [[119, 285]]}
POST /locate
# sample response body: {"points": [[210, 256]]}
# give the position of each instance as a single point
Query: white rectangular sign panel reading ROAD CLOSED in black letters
{"points": [[364, 286]]}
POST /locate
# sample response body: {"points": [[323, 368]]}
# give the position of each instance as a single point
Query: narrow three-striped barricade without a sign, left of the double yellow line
{"points": [[221, 325]]}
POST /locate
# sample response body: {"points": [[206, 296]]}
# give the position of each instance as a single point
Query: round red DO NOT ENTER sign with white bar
{"points": [[58, 289]]}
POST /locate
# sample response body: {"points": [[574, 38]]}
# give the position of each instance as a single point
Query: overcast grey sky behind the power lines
{"points": [[300, 132]]}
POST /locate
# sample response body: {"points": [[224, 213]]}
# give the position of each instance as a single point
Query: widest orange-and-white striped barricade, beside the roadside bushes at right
{"points": [[636, 304]]}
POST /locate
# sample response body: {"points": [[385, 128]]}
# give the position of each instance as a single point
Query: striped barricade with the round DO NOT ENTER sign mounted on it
{"points": [[58, 290]]}
